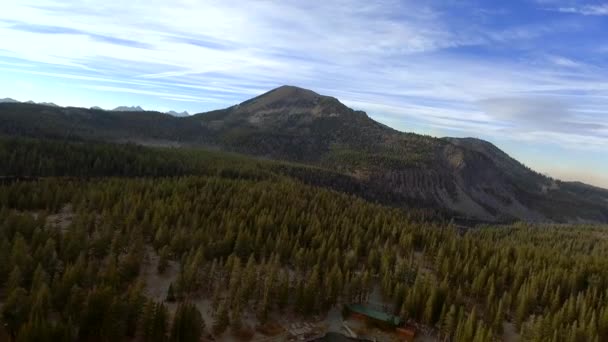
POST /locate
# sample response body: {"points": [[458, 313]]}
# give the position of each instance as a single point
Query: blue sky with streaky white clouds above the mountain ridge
{"points": [[530, 76]]}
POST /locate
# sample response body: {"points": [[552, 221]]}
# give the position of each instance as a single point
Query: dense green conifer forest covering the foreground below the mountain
{"points": [[253, 239]]}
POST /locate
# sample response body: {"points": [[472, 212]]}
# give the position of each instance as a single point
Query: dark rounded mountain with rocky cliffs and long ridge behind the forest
{"points": [[468, 178]]}
